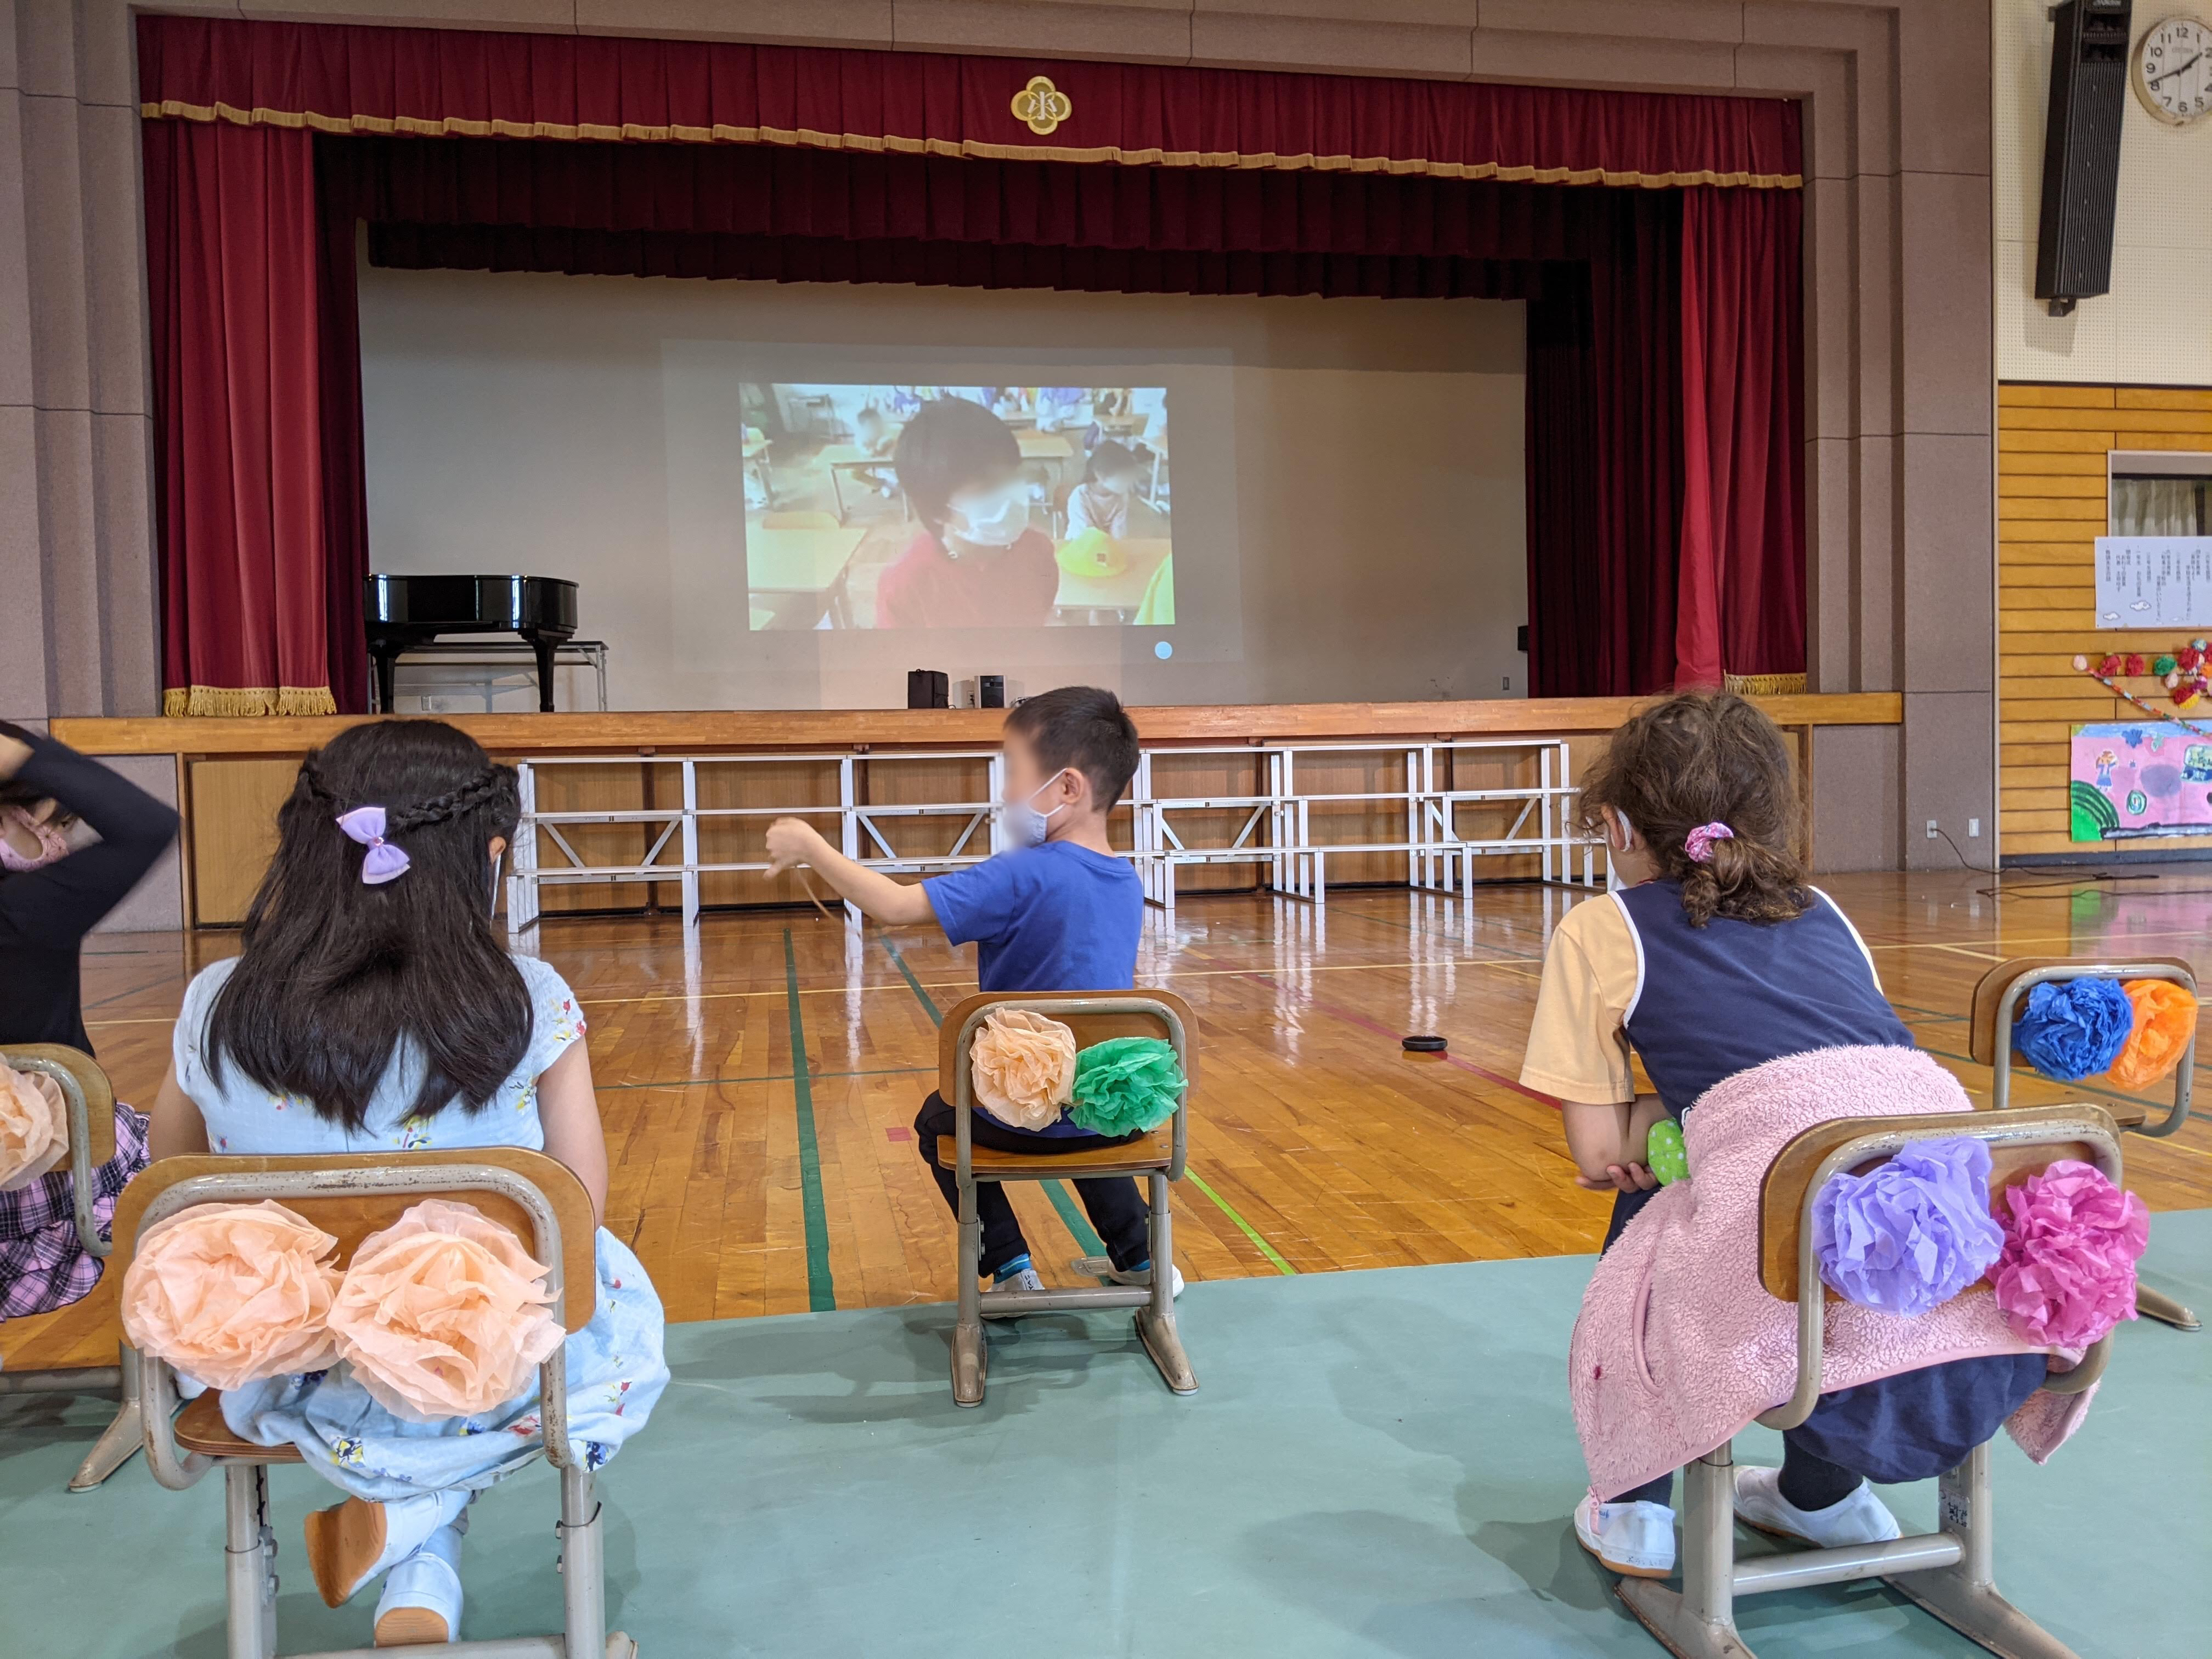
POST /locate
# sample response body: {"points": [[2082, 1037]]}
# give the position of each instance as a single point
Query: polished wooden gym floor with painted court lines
{"points": [[760, 1087]]}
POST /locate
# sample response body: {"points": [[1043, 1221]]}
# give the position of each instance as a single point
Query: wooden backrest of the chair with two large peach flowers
{"points": [[353, 1196]]}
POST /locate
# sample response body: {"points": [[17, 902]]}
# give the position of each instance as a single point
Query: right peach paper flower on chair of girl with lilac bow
{"points": [[444, 1315]]}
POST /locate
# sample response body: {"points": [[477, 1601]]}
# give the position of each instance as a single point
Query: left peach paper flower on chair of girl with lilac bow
{"points": [[231, 1293]]}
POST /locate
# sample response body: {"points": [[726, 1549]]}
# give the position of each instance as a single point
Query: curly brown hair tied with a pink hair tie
{"points": [[1707, 758]]}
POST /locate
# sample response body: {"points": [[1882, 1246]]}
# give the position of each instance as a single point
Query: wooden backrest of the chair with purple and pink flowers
{"points": [[2021, 1140]]}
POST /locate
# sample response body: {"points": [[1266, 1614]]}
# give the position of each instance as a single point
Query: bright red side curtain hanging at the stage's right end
{"points": [[1742, 430]]}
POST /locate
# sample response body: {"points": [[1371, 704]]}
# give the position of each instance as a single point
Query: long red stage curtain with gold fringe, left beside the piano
{"points": [[231, 242]]}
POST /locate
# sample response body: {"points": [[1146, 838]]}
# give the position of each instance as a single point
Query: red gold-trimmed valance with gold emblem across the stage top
{"points": [[437, 83]]}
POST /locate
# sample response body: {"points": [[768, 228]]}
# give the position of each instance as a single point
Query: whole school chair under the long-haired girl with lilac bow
{"points": [[353, 1196]]}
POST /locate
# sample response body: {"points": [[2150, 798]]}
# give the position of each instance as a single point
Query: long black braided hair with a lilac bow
{"points": [[340, 981]]}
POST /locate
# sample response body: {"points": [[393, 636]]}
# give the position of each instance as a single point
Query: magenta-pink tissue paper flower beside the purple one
{"points": [[2072, 1240]]}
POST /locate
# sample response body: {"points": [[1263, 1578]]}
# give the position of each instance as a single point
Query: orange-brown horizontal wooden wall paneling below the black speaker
{"points": [[2052, 508]]}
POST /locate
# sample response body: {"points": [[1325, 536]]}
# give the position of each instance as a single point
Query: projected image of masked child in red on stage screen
{"points": [[957, 508]]}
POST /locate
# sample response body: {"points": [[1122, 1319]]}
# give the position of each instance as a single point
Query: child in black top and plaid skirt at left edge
{"points": [[50, 901]]}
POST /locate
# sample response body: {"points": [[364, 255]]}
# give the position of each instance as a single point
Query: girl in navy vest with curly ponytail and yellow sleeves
{"points": [[1718, 957]]}
